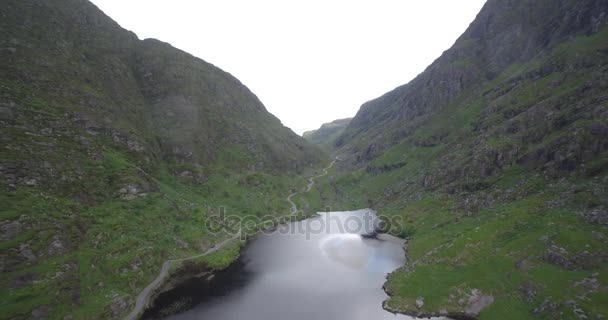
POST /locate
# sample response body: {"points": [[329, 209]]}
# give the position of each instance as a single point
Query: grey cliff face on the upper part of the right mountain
{"points": [[506, 38]]}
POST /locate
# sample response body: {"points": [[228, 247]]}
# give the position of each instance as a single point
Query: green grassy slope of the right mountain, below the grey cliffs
{"points": [[493, 233]]}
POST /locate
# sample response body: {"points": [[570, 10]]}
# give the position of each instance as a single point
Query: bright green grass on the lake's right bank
{"points": [[448, 252]]}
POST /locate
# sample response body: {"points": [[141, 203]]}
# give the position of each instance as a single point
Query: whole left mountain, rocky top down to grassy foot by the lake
{"points": [[114, 152]]}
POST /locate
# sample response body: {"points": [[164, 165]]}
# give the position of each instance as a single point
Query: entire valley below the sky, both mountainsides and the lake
{"points": [[491, 165]]}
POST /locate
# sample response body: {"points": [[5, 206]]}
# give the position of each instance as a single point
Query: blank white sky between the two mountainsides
{"points": [[309, 61]]}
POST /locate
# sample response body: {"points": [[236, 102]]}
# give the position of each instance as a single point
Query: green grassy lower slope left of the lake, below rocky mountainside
{"points": [[115, 247]]}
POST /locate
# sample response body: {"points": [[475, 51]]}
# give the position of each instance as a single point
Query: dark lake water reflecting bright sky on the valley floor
{"points": [[320, 268]]}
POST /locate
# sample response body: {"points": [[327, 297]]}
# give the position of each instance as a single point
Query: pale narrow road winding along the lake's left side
{"points": [[143, 299]]}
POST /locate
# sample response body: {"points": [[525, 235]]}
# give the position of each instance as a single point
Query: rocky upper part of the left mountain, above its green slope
{"points": [[145, 97]]}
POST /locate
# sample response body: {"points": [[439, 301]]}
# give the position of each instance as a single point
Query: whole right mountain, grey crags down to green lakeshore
{"points": [[495, 159]]}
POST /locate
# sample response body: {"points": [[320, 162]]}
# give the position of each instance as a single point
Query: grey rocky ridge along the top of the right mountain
{"points": [[454, 71]]}
